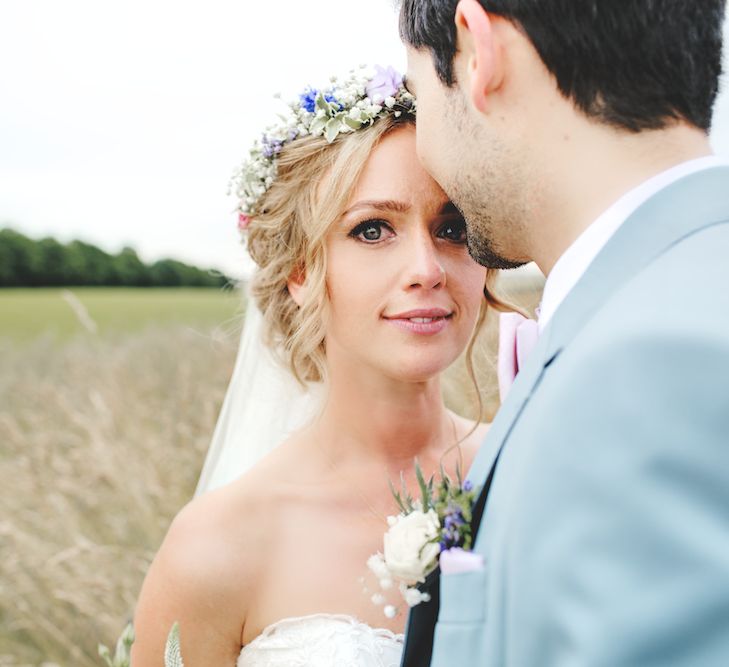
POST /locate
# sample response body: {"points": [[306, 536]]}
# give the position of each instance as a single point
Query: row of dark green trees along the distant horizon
{"points": [[25, 262]]}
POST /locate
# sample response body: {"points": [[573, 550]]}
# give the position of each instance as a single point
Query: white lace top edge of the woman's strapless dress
{"points": [[322, 640]]}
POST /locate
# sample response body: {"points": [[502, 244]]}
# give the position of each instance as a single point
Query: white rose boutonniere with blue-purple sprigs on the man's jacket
{"points": [[437, 522]]}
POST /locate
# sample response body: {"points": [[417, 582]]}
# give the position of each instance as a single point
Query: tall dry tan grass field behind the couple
{"points": [[102, 438]]}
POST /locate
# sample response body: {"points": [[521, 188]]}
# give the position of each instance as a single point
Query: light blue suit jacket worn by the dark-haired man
{"points": [[606, 531]]}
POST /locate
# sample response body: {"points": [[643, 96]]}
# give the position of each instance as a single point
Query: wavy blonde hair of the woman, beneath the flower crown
{"points": [[287, 238]]}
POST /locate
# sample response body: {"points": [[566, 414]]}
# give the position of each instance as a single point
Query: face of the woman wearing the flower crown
{"points": [[404, 292]]}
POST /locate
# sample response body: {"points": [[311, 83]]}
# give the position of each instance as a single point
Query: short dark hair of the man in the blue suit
{"points": [[634, 64]]}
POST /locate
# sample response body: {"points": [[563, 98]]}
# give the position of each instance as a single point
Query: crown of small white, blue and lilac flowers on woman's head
{"points": [[345, 106]]}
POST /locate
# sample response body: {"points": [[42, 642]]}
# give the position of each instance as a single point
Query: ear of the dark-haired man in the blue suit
{"points": [[477, 48]]}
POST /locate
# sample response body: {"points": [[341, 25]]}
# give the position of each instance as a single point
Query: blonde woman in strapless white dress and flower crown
{"points": [[367, 291]]}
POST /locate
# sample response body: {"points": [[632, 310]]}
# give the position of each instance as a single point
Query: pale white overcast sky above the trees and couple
{"points": [[120, 122]]}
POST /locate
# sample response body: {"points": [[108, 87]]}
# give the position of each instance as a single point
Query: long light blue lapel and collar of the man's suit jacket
{"points": [[692, 203]]}
